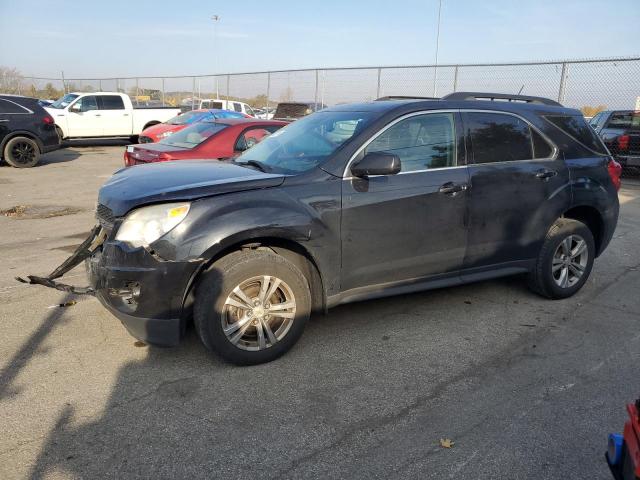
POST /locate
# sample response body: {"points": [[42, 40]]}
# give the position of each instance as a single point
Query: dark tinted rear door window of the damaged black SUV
{"points": [[497, 137]]}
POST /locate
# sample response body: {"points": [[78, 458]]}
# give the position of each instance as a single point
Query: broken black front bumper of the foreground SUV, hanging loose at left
{"points": [[146, 293]]}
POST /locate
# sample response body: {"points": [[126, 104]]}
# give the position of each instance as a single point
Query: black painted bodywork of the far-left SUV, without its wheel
{"points": [[29, 125]]}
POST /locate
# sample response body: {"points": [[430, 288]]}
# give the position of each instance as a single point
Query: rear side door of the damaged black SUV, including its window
{"points": [[519, 186]]}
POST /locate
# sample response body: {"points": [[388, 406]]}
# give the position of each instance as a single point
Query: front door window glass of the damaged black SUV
{"points": [[421, 142]]}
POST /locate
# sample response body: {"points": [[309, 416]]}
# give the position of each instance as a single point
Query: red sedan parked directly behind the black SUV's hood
{"points": [[217, 139]]}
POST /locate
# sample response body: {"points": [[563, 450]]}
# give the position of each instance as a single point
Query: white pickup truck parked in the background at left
{"points": [[104, 114]]}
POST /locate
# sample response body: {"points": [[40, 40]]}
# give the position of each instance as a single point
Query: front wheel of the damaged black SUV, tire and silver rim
{"points": [[218, 308]]}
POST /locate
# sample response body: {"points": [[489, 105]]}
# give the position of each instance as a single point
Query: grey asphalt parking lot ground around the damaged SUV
{"points": [[525, 387]]}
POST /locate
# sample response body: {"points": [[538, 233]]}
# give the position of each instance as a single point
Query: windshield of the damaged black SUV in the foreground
{"points": [[308, 142]]}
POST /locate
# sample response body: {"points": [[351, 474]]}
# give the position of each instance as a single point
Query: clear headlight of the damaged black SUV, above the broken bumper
{"points": [[147, 224]]}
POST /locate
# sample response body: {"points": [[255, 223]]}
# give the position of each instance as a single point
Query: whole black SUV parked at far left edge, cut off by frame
{"points": [[26, 131]]}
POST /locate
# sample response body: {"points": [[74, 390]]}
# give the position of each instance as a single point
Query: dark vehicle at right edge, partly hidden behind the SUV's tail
{"points": [[620, 131]]}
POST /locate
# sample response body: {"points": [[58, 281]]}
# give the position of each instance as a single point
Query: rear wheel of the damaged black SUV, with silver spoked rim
{"points": [[560, 271]]}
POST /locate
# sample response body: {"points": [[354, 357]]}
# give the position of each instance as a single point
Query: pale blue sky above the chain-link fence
{"points": [[144, 38]]}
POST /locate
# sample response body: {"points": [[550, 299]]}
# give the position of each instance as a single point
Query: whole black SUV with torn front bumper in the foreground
{"points": [[351, 203]]}
